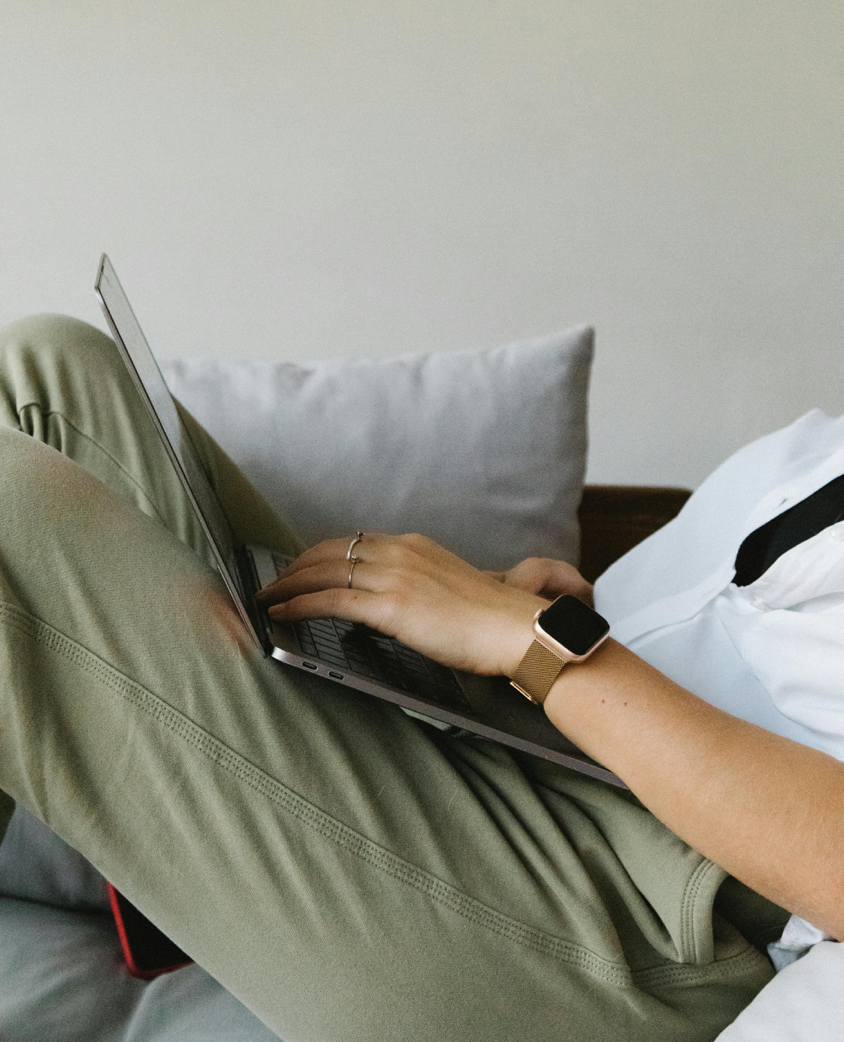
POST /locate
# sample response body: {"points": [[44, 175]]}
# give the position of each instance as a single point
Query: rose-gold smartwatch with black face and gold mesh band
{"points": [[566, 632]]}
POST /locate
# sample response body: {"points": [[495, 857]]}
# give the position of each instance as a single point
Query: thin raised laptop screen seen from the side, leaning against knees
{"points": [[144, 370]]}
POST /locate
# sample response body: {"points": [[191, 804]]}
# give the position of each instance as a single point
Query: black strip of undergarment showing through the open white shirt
{"points": [[796, 526]]}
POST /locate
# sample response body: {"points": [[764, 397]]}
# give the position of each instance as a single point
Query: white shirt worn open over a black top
{"points": [[772, 653]]}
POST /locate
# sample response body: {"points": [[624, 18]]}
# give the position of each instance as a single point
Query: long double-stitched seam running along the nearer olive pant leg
{"points": [[337, 832]]}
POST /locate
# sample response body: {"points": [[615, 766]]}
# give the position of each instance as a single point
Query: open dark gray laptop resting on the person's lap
{"points": [[343, 653]]}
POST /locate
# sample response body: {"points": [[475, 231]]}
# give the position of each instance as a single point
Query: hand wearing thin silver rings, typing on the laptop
{"points": [[410, 588]]}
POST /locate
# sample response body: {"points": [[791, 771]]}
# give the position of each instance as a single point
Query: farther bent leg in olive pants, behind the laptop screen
{"points": [[63, 383]]}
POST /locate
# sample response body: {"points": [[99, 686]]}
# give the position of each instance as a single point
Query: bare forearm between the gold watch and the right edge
{"points": [[768, 810]]}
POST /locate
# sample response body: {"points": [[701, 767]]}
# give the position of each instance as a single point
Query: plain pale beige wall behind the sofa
{"points": [[375, 177]]}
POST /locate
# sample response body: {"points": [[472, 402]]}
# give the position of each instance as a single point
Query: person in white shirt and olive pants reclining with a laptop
{"points": [[347, 872]]}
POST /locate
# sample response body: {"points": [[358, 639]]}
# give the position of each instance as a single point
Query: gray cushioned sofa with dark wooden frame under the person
{"points": [[484, 451]]}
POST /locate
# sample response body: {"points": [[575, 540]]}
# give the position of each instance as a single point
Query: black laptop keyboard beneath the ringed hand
{"points": [[359, 650]]}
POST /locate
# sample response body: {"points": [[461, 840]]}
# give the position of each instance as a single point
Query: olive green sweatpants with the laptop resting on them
{"points": [[351, 875]]}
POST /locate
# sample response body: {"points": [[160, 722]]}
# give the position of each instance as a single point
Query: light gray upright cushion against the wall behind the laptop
{"points": [[483, 451]]}
